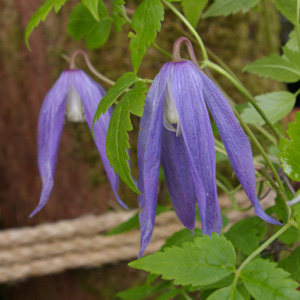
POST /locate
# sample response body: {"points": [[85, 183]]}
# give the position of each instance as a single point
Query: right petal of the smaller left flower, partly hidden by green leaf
{"points": [[91, 94]]}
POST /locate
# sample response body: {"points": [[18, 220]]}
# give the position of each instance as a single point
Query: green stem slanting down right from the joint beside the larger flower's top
{"points": [[244, 92]]}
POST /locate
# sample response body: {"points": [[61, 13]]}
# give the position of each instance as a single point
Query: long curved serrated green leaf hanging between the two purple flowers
{"points": [[117, 137]]}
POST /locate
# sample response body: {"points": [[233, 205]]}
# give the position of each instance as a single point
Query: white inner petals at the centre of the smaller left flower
{"points": [[74, 107]]}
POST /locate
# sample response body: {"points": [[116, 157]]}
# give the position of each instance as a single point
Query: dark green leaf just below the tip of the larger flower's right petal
{"points": [[246, 234]]}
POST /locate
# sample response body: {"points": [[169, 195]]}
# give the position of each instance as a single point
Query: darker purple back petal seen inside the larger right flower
{"points": [[178, 176]]}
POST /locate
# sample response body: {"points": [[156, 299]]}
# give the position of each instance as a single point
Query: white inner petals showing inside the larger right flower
{"points": [[170, 112]]}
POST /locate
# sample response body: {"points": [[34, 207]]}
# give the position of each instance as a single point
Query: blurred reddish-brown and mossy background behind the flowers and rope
{"points": [[81, 186]]}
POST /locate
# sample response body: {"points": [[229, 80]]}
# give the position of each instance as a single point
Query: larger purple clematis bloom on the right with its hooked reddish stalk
{"points": [[175, 131]]}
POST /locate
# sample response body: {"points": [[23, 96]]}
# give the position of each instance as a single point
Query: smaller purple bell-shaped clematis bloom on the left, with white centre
{"points": [[75, 95]]}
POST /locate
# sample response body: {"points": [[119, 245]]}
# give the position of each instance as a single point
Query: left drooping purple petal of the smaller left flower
{"points": [[51, 122]]}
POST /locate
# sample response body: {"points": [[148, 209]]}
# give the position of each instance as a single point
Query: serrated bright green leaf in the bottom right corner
{"points": [[264, 281]]}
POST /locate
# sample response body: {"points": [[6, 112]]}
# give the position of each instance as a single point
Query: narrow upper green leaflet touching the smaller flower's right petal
{"points": [[124, 82]]}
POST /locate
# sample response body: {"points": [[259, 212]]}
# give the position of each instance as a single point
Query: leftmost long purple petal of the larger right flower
{"points": [[149, 154]]}
